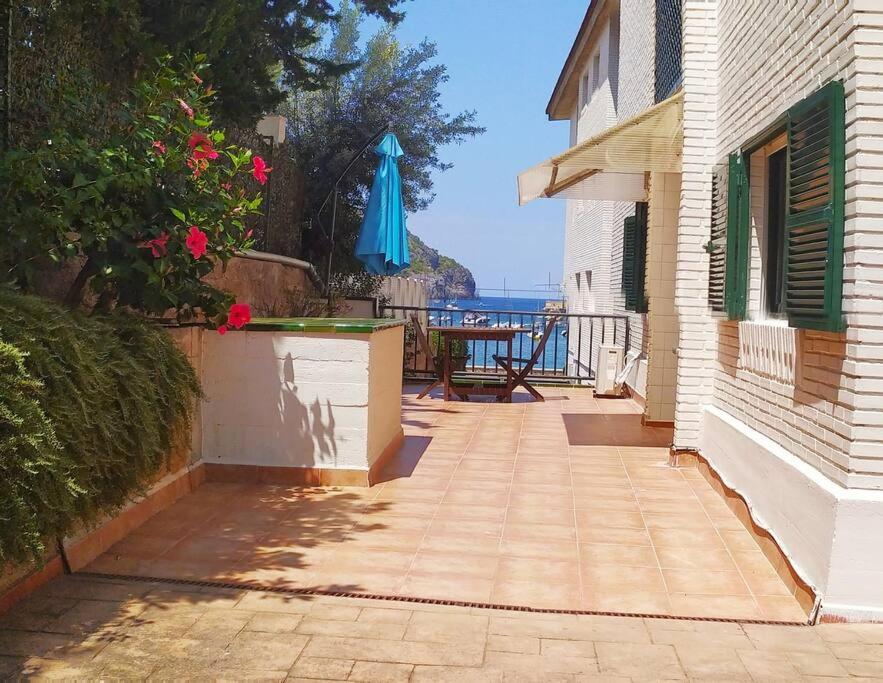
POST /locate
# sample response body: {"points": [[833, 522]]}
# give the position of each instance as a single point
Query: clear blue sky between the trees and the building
{"points": [[503, 58]]}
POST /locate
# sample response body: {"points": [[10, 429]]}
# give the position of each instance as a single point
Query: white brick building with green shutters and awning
{"points": [[758, 150]]}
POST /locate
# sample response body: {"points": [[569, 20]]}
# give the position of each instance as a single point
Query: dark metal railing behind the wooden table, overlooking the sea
{"points": [[570, 354]]}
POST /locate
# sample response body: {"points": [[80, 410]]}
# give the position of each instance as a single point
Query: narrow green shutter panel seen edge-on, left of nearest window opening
{"points": [[738, 242]]}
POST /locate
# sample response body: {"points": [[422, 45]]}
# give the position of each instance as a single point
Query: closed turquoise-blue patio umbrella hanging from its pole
{"points": [[383, 241]]}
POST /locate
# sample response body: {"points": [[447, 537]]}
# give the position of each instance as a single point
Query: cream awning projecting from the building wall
{"points": [[612, 165]]}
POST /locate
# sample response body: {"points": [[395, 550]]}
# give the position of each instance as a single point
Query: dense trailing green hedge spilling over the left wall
{"points": [[90, 410]]}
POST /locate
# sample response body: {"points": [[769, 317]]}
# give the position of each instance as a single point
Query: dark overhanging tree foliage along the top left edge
{"points": [[256, 48]]}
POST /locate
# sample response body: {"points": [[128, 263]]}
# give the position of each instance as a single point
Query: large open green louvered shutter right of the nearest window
{"points": [[814, 220]]}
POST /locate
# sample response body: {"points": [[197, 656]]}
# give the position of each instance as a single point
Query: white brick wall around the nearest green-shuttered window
{"points": [[772, 55]]}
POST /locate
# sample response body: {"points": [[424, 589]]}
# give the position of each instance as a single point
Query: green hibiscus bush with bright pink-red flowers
{"points": [[148, 212]]}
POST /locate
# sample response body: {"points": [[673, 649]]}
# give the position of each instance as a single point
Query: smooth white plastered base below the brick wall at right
{"points": [[828, 533]]}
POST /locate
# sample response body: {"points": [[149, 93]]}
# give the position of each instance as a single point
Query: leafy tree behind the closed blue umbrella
{"points": [[393, 83]]}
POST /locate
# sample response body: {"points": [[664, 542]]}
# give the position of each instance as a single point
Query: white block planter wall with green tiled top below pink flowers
{"points": [[322, 402]]}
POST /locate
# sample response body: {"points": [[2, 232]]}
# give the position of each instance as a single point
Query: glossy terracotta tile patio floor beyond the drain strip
{"points": [[567, 504]]}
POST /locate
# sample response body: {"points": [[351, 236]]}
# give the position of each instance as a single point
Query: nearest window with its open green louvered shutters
{"points": [[801, 241]]}
